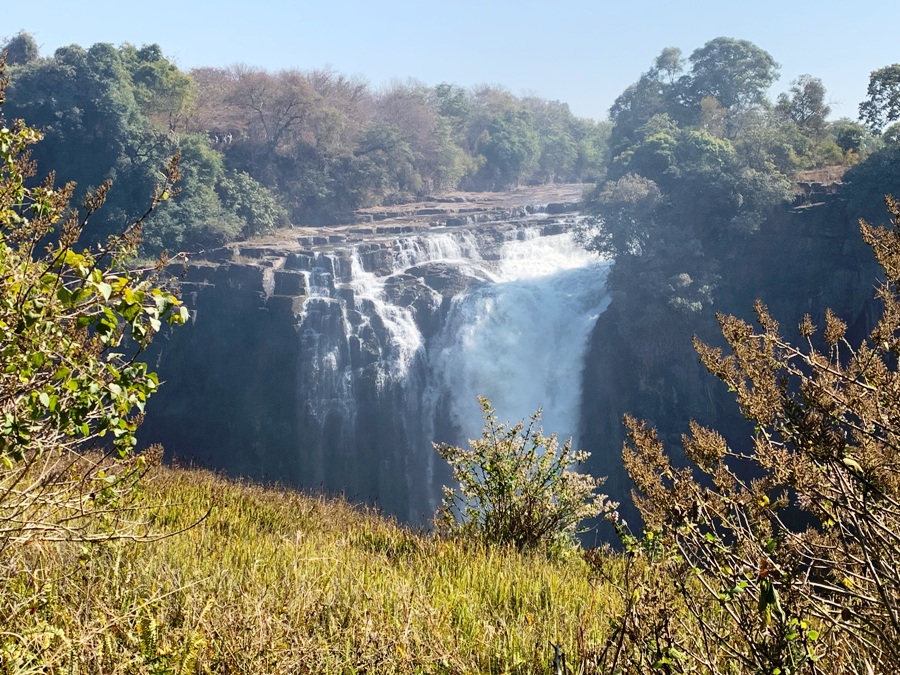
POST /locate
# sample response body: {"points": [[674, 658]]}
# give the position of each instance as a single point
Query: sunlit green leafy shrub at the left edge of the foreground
{"points": [[71, 324]]}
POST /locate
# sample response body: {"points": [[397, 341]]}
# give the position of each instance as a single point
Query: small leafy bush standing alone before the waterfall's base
{"points": [[517, 487]]}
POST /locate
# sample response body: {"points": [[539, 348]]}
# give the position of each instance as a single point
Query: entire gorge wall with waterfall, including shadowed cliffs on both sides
{"points": [[332, 360]]}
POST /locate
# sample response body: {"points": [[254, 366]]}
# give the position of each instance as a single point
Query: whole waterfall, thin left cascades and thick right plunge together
{"points": [[385, 367]]}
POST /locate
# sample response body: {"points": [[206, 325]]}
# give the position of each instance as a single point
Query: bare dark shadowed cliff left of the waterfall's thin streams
{"points": [[212, 395]]}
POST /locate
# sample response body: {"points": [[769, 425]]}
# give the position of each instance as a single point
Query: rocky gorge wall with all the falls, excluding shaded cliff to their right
{"points": [[331, 360]]}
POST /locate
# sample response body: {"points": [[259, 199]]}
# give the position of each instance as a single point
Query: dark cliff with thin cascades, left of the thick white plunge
{"points": [[287, 373]]}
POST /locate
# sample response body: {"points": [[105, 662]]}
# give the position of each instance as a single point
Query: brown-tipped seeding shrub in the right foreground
{"points": [[803, 559]]}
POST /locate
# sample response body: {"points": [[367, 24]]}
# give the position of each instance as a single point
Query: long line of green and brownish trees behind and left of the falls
{"points": [[261, 149]]}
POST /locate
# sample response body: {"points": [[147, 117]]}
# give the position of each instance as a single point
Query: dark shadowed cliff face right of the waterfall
{"points": [[641, 360]]}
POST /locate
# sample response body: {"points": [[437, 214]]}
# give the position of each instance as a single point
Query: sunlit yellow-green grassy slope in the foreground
{"points": [[276, 582]]}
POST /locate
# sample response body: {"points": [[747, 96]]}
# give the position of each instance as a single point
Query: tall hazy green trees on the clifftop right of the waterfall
{"points": [[699, 156]]}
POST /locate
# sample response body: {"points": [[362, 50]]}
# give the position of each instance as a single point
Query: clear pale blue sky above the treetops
{"points": [[582, 52]]}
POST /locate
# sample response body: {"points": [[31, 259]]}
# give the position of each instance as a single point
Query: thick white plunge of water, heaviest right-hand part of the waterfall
{"points": [[520, 341]]}
